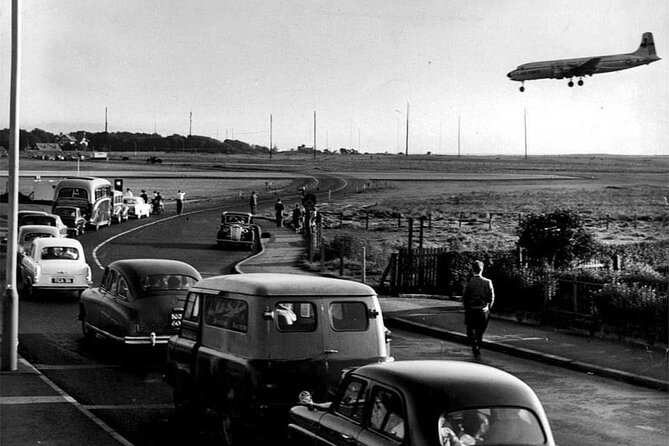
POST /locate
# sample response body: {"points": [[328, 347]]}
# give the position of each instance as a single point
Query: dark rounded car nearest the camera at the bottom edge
{"points": [[416, 403]]}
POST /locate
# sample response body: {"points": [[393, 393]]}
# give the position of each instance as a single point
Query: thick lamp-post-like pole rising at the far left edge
{"points": [[10, 304]]}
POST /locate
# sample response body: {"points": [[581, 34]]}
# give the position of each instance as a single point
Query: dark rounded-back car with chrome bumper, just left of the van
{"points": [[138, 302]]}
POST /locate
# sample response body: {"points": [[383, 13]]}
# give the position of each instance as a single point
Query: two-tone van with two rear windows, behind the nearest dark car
{"points": [[249, 342]]}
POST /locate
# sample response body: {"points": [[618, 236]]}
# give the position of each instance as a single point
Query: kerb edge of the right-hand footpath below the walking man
{"points": [[619, 375]]}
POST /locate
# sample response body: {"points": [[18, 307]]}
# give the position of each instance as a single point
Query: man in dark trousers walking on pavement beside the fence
{"points": [[478, 299]]}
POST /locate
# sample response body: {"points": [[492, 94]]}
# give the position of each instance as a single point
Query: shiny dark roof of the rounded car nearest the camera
{"points": [[454, 384]]}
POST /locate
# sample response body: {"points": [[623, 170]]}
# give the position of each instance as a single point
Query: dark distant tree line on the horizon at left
{"points": [[130, 142]]}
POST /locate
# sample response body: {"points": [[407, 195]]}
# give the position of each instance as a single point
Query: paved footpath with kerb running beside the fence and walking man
{"points": [[633, 363]]}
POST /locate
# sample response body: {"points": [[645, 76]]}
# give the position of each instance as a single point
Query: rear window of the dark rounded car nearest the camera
{"points": [[490, 425]]}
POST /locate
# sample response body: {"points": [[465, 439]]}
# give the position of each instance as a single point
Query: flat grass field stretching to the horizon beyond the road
{"points": [[628, 192]]}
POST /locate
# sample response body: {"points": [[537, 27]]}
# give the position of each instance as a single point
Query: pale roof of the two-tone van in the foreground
{"points": [[277, 284]]}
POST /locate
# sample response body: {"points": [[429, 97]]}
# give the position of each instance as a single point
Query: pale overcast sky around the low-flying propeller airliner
{"points": [[355, 63]]}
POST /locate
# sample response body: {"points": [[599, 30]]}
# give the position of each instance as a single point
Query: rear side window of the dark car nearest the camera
{"points": [[386, 413]]}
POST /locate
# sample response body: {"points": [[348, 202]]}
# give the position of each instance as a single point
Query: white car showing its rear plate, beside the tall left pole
{"points": [[53, 264]]}
